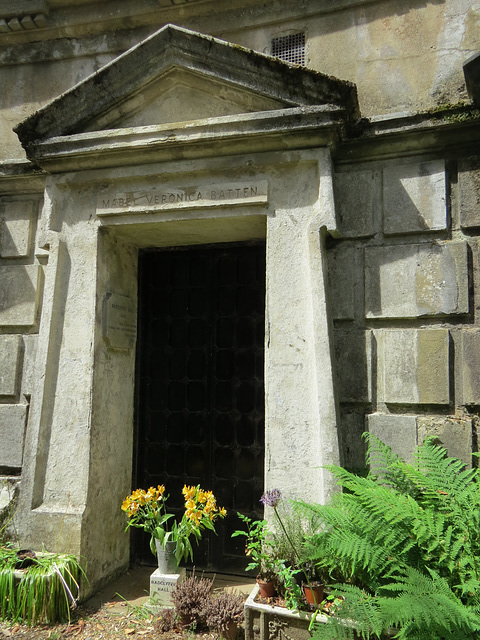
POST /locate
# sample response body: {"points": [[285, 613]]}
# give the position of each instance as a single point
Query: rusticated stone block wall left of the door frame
{"points": [[20, 294]]}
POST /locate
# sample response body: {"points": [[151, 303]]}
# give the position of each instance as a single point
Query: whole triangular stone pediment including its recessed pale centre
{"points": [[177, 75]]}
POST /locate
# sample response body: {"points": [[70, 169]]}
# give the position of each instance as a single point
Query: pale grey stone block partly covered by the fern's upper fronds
{"points": [[397, 432]]}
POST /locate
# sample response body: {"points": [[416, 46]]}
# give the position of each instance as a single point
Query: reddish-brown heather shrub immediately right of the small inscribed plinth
{"points": [[191, 598]]}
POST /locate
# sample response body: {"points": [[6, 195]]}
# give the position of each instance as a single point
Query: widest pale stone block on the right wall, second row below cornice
{"points": [[415, 280]]}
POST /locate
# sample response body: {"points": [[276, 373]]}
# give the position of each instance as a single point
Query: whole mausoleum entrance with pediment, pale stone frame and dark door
{"points": [[124, 176]]}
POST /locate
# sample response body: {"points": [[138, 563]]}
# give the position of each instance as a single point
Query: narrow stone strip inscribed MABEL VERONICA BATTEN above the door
{"points": [[191, 197]]}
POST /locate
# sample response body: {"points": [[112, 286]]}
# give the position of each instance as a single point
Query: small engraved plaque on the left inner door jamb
{"points": [[119, 321]]}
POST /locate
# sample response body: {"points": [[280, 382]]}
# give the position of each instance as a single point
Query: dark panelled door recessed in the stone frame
{"points": [[200, 393]]}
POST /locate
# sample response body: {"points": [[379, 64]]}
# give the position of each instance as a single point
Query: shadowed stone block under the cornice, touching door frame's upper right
{"points": [[357, 202]]}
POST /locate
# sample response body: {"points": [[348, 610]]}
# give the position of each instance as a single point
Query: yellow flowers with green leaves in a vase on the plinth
{"points": [[147, 510]]}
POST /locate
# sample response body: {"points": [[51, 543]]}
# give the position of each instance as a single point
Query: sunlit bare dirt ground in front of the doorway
{"points": [[118, 611]]}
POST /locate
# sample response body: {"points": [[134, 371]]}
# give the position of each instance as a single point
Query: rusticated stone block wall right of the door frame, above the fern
{"points": [[404, 285]]}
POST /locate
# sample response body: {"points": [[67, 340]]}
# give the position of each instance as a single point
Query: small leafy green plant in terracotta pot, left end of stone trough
{"points": [[259, 549]]}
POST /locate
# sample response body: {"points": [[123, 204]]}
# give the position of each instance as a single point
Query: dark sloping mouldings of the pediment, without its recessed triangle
{"points": [[173, 47]]}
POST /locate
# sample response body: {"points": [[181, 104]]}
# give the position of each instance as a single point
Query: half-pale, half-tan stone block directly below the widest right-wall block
{"points": [[413, 366]]}
